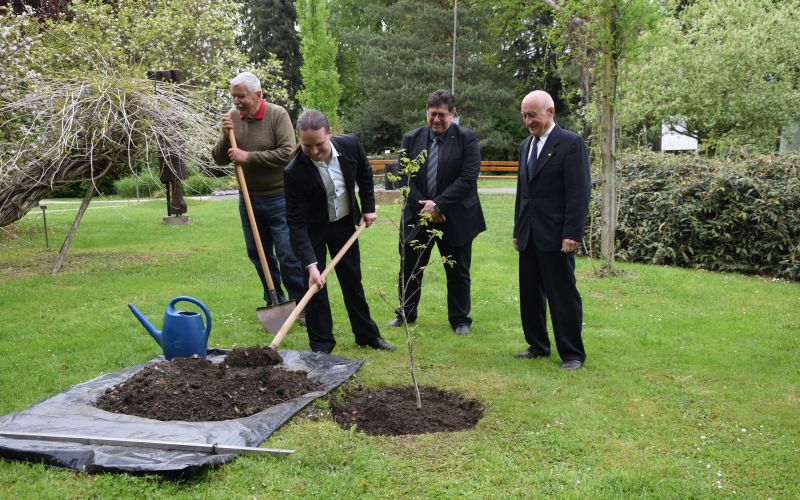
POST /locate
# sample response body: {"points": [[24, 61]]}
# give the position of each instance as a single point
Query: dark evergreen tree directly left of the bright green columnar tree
{"points": [[268, 27]]}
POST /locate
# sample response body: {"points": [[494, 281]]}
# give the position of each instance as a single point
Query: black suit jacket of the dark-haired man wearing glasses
{"points": [[456, 178]]}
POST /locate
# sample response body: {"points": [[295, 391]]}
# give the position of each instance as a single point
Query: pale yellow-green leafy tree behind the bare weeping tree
{"points": [[134, 36]]}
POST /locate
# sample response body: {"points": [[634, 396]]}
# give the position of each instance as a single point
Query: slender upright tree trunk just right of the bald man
{"points": [[608, 146]]}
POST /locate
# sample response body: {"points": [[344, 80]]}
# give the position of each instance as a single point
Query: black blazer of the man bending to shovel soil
{"points": [[307, 202]]}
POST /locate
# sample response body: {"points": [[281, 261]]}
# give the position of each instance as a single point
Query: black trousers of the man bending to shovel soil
{"points": [[319, 322]]}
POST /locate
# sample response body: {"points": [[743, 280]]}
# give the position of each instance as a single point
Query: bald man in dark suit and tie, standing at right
{"points": [[553, 189]]}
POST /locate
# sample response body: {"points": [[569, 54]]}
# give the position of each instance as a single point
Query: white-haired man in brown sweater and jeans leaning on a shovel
{"points": [[265, 139]]}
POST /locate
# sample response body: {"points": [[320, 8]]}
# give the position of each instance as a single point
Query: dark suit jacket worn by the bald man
{"points": [[552, 205]]}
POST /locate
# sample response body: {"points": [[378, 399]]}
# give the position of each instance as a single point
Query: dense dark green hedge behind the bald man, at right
{"points": [[727, 214]]}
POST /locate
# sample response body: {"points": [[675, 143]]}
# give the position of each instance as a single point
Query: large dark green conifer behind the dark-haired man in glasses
{"points": [[401, 51]]}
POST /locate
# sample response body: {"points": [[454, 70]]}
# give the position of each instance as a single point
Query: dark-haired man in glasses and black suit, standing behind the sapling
{"points": [[446, 188]]}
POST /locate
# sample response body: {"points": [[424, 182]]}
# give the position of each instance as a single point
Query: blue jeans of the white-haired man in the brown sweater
{"points": [[284, 267]]}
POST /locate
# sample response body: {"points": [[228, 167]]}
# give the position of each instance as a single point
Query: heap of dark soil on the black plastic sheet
{"points": [[197, 390]]}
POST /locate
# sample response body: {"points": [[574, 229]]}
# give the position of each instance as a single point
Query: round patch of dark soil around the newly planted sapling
{"points": [[392, 411]]}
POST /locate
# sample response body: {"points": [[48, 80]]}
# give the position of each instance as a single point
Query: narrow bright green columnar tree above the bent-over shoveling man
{"points": [[321, 88]]}
